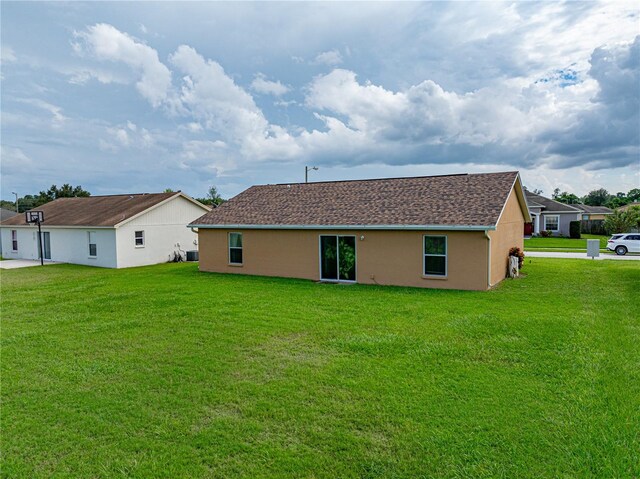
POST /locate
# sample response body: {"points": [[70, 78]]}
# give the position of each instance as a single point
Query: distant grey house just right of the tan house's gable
{"points": [[550, 215]]}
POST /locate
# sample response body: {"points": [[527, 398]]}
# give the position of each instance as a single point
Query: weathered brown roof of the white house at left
{"points": [[93, 210]]}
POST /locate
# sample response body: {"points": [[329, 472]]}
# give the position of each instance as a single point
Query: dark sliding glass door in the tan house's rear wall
{"points": [[337, 258]]}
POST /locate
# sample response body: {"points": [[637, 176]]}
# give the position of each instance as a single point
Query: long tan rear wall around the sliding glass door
{"points": [[382, 257]]}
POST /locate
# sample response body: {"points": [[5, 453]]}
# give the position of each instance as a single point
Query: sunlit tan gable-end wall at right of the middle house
{"points": [[508, 233]]}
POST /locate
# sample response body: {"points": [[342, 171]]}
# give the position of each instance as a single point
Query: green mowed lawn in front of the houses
{"points": [[167, 372]]}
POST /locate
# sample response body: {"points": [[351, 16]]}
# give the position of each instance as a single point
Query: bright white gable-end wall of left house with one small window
{"points": [[165, 231]]}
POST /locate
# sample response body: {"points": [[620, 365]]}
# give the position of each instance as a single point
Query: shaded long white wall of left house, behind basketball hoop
{"points": [[68, 245]]}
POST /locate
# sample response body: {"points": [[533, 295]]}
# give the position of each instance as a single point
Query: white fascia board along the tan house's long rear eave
{"points": [[348, 227]]}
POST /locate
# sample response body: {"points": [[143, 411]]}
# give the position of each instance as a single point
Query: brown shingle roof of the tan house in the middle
{"points": [[454, 200]]}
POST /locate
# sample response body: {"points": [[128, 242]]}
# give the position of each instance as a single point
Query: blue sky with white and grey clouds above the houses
{"points": [[139, 97]]}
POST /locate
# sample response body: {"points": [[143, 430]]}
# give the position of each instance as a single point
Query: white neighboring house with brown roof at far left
{"points": [[116, 231]]}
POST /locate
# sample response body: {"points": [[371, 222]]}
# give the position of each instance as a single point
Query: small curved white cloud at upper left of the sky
{"points": [[106, 42]]}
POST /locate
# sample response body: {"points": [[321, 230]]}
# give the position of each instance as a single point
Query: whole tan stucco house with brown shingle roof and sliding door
{"points": [[433, 232]]}
